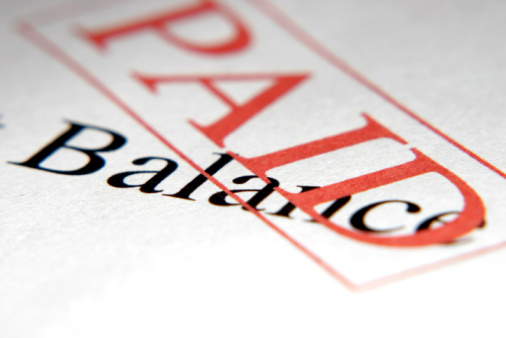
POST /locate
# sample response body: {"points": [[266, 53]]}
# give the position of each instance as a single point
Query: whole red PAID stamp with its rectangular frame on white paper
{"points": [[386, 192]]}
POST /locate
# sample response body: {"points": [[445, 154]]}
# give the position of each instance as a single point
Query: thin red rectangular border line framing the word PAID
{"points": [[28, 30]]}
